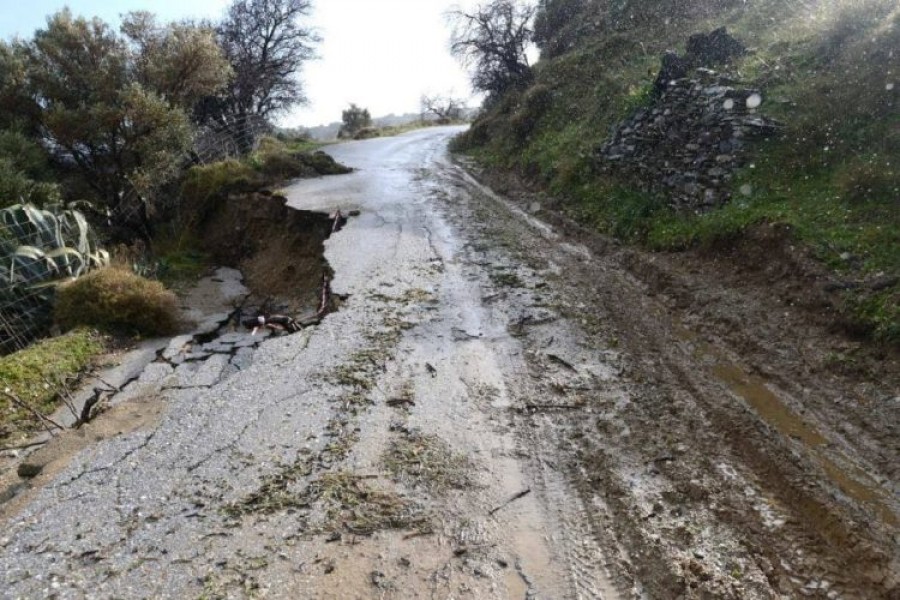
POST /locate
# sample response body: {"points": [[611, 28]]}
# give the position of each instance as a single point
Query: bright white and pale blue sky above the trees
{"points": [[380, 54]]}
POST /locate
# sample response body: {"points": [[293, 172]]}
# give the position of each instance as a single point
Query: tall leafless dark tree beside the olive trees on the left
{"points": [[266, 46]]}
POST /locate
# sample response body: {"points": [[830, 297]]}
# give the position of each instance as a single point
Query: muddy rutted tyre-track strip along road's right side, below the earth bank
{"points": [[703, 453]]}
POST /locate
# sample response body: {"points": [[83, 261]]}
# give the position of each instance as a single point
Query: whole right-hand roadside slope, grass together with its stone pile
{"points": [[828, 181]]}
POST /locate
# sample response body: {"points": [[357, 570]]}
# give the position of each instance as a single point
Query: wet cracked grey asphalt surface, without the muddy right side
{"points": [[163, 512]]}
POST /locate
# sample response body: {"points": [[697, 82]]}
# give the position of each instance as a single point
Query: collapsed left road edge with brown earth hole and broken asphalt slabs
{"points": [[281, 253]]}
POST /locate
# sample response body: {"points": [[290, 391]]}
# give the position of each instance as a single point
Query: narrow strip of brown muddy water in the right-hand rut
{"points": [[849, 478]]}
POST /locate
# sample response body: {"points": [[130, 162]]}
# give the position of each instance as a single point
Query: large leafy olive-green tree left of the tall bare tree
{"points": [[114, 107]]}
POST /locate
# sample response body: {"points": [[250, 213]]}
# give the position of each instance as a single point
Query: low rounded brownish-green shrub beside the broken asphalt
{"points": [[115, 299]]}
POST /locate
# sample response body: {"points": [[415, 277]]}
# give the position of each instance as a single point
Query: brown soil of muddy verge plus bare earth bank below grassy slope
{"points": [[756, 410]]}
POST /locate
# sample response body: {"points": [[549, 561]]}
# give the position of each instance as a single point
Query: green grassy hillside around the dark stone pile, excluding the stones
{"points": [[828, 72]]}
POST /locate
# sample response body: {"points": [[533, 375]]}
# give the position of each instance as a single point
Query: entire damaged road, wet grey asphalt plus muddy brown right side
{"points": [[496, 411]]}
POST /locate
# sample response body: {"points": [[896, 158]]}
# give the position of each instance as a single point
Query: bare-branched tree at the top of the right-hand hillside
{"points": [[492, 41]]}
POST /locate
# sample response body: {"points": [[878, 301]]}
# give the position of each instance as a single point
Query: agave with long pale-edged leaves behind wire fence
{"points": [[39, 249]]}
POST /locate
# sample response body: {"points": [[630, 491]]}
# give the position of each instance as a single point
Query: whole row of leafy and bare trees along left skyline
{"points": [[88, 111]]}
